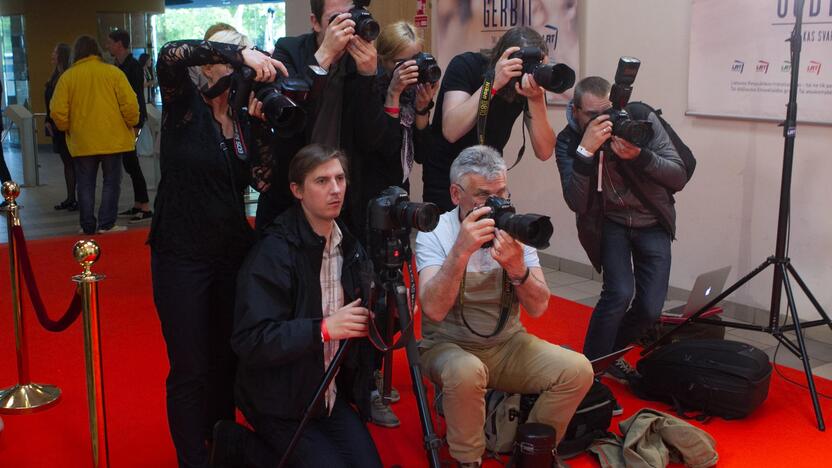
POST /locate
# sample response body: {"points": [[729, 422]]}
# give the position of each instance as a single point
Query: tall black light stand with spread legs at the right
{"points": [[780, 261]]}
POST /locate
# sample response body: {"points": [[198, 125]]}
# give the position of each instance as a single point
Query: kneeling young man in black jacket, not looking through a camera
{"points": [[298, 296]]}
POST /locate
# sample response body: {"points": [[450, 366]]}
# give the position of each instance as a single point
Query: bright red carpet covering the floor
{"points": [[780, 433]]}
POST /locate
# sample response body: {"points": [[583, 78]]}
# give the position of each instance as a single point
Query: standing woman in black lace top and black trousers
{"points": [[199, 234]]}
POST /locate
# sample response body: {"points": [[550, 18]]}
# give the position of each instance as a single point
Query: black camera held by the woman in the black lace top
{"points": [[280, 100]]}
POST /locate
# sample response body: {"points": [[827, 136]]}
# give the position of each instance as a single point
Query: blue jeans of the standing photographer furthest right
{"points": [[635, 261]]}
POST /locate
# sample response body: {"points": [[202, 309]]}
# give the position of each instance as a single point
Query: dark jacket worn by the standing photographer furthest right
{"points": [[655, 174]]}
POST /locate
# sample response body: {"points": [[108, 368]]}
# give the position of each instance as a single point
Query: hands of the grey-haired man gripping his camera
{"points": [[477, 229]]}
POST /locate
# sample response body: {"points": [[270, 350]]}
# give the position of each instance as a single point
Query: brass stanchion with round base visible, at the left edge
{"points": [[25, 397]]}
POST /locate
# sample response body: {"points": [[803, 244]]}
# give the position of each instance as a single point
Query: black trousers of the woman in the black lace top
{"points": [[195, 302]]}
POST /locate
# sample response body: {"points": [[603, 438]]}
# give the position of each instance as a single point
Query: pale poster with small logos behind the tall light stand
{"points": [[740, 60]]}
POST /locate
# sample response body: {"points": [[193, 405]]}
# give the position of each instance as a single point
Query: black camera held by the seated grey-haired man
{"points": [[531, 229]]}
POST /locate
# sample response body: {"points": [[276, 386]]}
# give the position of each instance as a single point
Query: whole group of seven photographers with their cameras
{"points": [[349, 102]]}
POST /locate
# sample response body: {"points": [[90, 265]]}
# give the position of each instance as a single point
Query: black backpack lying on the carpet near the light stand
{"points": [[721, 378]]}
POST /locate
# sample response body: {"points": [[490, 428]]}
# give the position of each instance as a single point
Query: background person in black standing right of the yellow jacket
{"points": [[118, 44]]}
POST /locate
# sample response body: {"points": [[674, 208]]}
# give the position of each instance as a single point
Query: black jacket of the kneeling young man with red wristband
{"points": [[277, 321]]}
